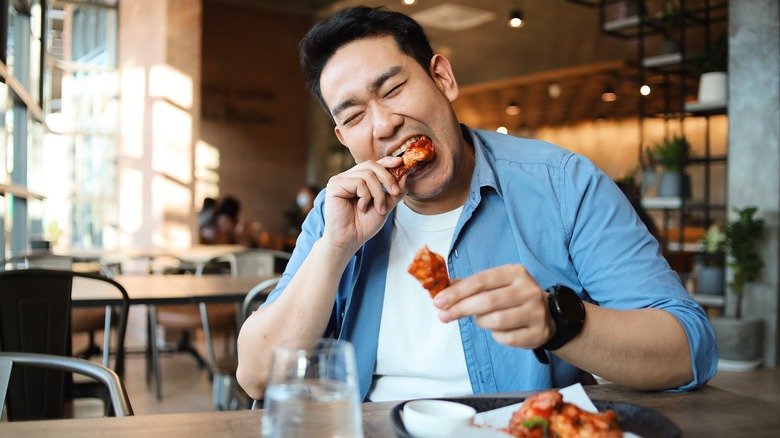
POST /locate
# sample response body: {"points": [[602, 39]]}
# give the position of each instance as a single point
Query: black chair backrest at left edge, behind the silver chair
{"points": [[35, 311]]}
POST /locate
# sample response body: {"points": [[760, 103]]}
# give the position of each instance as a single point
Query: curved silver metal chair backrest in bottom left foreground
{"points": [[22, 361]]}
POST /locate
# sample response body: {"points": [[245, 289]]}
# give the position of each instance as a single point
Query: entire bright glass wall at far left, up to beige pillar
{"points": [[58, 124]]}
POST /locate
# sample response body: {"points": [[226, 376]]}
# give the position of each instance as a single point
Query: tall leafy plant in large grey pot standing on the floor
{"points": [[740, 340]]}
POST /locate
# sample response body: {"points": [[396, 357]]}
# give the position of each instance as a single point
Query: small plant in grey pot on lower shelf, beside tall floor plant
{"points": [[709, 268]]}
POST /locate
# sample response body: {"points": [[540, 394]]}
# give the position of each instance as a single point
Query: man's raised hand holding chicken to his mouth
{"points": [[358, 201]]}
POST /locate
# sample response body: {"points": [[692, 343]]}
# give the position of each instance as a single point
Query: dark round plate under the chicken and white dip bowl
{"points": [[642, 421]]}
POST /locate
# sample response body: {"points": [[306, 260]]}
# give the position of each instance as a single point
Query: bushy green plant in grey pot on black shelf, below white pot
{"points": [[672, 153]]}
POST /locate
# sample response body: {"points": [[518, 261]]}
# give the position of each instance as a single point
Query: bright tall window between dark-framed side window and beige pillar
{"points": [[82, 116]]}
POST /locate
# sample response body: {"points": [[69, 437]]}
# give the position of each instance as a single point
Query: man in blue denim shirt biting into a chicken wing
{"points": [[512, 218]]}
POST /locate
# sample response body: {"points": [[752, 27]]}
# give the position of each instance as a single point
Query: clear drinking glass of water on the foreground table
{"points": [[312, 391]]}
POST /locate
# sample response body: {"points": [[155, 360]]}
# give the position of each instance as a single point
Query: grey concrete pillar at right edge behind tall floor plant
{"points": [[754, 145]]}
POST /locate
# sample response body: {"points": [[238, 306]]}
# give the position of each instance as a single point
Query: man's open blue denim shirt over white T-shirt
{"points": [[555, 212]]}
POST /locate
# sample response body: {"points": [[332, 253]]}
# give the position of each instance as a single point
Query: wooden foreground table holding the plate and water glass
{"points": [[709, 412]]}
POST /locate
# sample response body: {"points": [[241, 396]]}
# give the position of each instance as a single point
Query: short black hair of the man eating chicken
{"points": [[351, 24]]}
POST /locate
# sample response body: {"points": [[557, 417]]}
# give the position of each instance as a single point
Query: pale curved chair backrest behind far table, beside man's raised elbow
{"points": [[259, 261]]}
